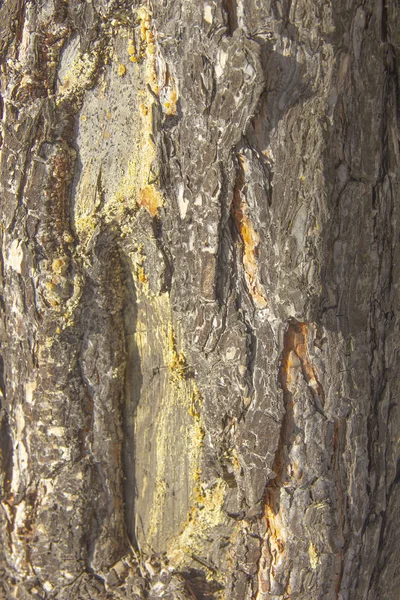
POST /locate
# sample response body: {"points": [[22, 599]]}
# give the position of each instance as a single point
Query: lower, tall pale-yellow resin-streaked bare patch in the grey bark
{"points": [[178, 402]]}
